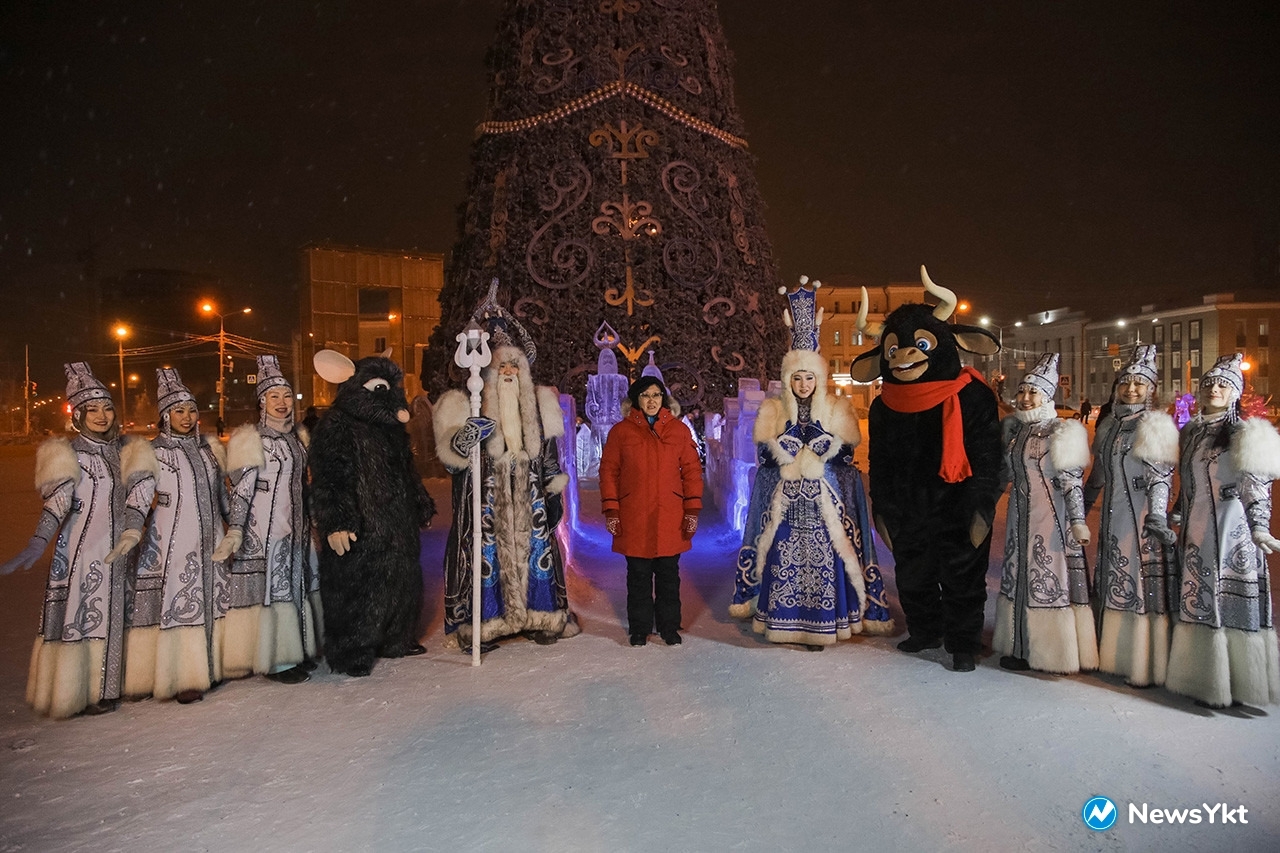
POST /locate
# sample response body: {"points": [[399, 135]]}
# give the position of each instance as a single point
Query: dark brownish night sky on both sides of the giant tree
{"points": [[1034, 154]]}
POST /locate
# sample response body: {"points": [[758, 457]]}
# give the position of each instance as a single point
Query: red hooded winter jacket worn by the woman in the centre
{"points": [[651, 477]]}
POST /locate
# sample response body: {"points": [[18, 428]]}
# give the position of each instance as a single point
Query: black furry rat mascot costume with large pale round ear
{"points": [[368, 504]]}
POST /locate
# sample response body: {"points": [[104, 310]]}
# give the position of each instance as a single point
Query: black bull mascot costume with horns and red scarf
{"points": [[935, 469]]}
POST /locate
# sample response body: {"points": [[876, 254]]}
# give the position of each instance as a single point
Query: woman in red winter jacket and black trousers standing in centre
{"points": [[651, 491]]}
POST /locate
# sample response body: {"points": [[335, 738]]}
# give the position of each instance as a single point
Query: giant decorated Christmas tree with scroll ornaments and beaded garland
{"points": [[612, 184]]}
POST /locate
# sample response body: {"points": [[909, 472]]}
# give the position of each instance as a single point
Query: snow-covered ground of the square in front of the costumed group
{"points": [[725, 743]]}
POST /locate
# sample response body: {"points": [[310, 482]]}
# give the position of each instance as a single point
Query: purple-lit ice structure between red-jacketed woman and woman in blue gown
{"points": [[732, 458]]}
